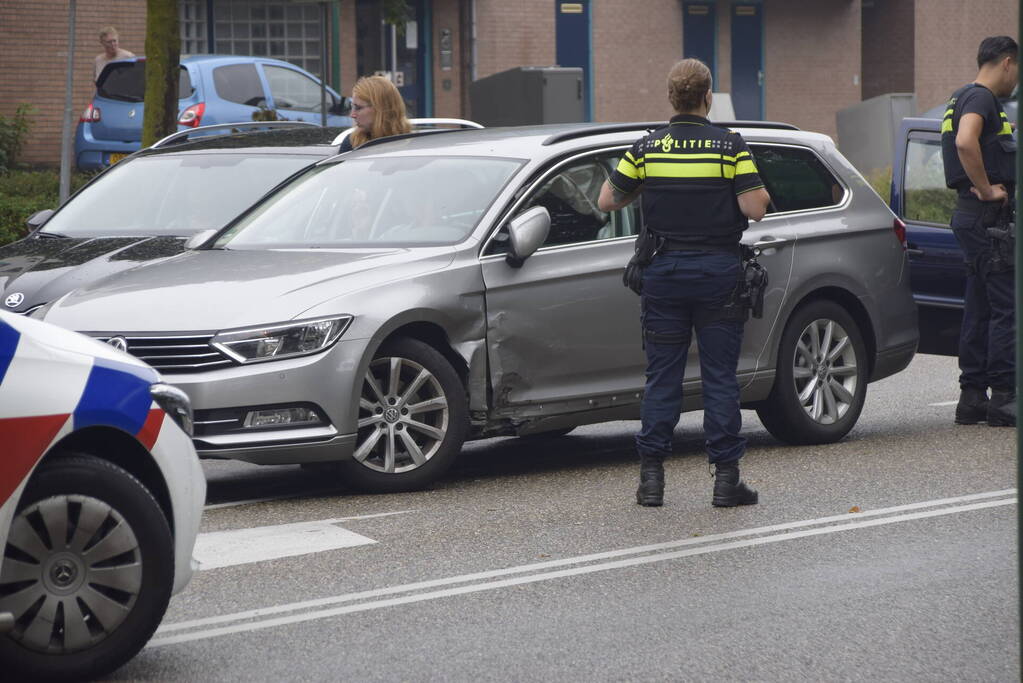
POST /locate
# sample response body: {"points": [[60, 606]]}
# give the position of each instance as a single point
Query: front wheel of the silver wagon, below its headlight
{"points": [[413, 420]]}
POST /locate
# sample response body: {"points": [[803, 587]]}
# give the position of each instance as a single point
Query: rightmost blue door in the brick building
{"points": [[747, 61]]}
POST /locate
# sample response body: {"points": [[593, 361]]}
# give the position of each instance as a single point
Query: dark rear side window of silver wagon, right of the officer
{"points": [[796, 179]]}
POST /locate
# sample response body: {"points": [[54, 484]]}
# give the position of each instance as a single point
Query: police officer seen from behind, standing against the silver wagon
{"points": [[699, 187]]}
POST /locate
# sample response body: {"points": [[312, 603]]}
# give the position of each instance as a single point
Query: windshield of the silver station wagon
{"points": [[392, 202]]}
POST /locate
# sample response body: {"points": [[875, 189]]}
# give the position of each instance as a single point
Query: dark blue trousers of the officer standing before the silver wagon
{"points": [[680, 289]]}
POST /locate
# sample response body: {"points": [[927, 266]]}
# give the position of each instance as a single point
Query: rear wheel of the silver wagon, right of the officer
{"points": [[821, 381]]}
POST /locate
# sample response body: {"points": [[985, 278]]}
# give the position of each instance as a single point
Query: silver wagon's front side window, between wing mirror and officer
{"points": [[570, 197]]}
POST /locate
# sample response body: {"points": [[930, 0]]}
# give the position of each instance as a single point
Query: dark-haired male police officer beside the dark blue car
{"points": [[980, 156]]}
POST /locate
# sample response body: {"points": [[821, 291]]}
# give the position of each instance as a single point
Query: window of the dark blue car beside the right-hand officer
{"points": [[925, 197]]}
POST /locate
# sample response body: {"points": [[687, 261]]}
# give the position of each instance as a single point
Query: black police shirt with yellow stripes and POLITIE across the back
{"points": [[692, 173]]}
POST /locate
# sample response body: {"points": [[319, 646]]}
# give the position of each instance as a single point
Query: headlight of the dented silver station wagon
{"points": [[271, 343]]}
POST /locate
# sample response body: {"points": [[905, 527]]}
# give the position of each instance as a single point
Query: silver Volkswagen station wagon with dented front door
{"points": [[389, 304]]}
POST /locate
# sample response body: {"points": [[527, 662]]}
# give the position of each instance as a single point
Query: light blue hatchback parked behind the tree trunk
{"points": [[213, 89]]}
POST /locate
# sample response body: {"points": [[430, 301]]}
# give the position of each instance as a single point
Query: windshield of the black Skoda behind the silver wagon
{"points": [[173, 195]]}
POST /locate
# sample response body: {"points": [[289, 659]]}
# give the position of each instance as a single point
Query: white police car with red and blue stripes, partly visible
{"points": [[101, 497]]}
